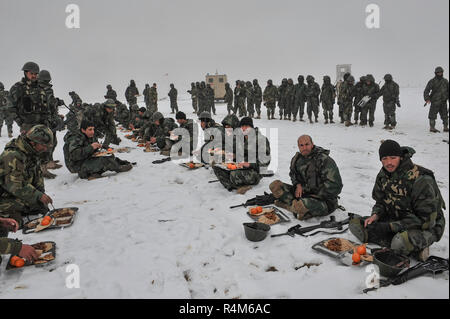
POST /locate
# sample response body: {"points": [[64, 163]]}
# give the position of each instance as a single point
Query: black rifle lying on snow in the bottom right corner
{"points": [[433, 264]]}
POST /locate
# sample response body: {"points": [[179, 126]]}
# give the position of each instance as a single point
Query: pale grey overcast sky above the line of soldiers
{"points": [[143, 40]]}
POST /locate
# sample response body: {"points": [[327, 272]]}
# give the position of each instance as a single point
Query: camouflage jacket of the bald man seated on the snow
{"points": [[319, 176]]}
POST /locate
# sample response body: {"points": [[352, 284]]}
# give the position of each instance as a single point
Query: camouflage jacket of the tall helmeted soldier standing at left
{"points": [[30, 102]]}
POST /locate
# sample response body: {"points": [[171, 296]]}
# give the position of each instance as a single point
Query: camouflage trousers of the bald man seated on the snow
{"points": [[285, 196]]}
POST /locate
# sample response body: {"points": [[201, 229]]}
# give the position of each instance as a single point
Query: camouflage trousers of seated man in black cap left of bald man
{"points": [[237, 178]]}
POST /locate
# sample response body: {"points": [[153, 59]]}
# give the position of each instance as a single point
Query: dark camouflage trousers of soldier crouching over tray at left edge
{"points": [[18, 209]]}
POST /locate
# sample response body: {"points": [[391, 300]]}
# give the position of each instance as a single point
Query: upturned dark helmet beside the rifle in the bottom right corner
{"points": [[389, 262]]}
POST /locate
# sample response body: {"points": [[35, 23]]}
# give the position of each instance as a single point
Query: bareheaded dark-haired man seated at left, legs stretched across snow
{"points": [[79, 154]]}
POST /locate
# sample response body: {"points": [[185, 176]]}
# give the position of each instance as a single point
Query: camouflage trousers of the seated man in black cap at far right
{"points": [[406, 242]]}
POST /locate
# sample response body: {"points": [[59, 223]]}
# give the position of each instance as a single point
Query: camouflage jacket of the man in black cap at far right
{"points": [[409, 198]]}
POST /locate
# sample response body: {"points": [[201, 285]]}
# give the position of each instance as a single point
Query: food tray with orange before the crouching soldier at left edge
{"points": [[61, 217]]}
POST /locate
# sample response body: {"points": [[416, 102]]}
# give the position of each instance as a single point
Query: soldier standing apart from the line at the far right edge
{"points": [[437, 93]]}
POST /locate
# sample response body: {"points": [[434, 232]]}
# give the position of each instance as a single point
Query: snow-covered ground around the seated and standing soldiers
{"points": [[161, 231]]}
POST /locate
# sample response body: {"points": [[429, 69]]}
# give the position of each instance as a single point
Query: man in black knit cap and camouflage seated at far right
{"points": [[408, 212]]}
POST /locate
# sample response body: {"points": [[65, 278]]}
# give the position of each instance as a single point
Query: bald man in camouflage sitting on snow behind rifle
{"points": [[316, 182]]}
